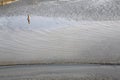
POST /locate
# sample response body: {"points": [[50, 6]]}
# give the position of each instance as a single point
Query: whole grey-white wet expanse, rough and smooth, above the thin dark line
{"points": [[60, 31]]}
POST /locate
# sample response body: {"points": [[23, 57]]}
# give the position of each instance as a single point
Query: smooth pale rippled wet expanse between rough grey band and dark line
{"points": [[58, 40]]}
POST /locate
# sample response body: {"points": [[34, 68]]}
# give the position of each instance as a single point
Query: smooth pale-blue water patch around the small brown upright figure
{"points": [[36, 23]]}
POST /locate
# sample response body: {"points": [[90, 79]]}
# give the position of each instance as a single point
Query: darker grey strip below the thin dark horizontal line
{"points": [[60, 72]]}
